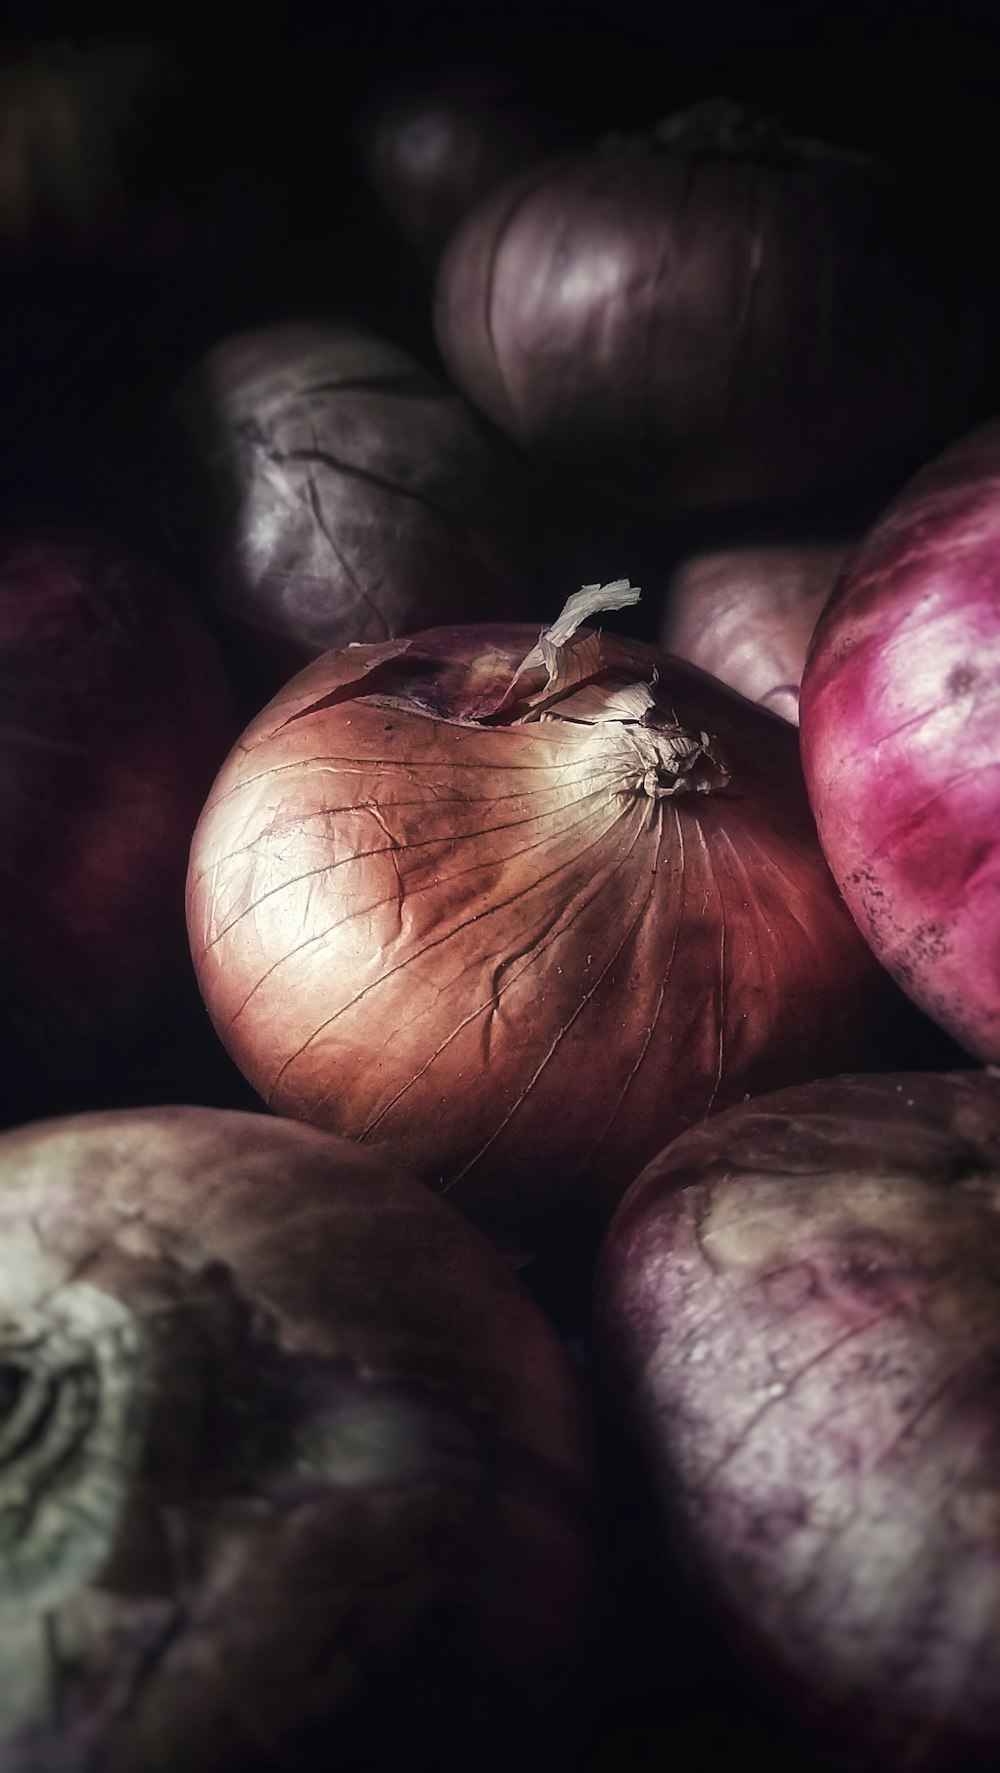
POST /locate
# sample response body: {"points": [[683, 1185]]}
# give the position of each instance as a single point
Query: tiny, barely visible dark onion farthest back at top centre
{"points": [[432, 148]]}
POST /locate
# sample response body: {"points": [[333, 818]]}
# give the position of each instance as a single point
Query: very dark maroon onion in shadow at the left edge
{"points": [[116, 715]]}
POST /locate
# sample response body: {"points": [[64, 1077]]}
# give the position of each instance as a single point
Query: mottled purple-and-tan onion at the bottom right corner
{"points": [[799, 1315]]}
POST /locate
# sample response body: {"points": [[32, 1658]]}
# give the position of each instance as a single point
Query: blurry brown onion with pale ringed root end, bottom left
{"points": [[288, 1416]]}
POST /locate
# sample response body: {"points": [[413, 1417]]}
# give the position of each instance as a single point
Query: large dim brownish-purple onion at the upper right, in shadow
{"points": [[715, 316]]}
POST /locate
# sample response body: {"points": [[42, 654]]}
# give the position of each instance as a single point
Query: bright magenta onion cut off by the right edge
{"points": [[902, 740]]}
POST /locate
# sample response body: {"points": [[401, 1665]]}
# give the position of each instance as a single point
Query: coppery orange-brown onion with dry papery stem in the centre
{"points": [[444, 903]]}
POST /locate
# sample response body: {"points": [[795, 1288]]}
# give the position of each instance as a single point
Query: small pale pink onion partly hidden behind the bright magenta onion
{"points": [[747, 616]]}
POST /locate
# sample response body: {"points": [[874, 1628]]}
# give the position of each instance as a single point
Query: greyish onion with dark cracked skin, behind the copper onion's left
{"points": [[332, 490]]}
